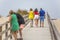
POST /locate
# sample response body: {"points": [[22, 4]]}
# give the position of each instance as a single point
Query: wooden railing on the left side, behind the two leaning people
{"points": [[7, 27]]}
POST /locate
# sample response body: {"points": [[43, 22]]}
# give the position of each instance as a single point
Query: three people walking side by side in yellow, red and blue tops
{"points": [[36, 16]]}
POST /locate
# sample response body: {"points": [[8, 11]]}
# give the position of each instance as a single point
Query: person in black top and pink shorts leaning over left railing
{"points": [[21, 23]]}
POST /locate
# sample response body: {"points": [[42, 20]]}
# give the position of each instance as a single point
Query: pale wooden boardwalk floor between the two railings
{"points": [[37, 33]]}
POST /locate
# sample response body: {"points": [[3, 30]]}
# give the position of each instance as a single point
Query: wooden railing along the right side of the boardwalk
{"points": [[54, 33]]}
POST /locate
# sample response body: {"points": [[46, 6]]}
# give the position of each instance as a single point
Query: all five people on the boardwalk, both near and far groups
{"points": [[17, 21]]}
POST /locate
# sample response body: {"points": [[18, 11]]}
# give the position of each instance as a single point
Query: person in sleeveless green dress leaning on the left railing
{"points": [[14, 24]]}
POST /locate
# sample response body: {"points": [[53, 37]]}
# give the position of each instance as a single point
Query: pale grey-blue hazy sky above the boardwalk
{"points": [[50, 6]]}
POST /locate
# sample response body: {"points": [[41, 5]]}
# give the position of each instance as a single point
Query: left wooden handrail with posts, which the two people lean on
{"points": [[7, 29]]}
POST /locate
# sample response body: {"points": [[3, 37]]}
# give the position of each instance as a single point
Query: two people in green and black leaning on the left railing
{"points": [[17, 24]]}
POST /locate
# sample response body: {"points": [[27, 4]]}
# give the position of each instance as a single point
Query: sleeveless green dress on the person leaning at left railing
{"points": [[14, 23]]}
